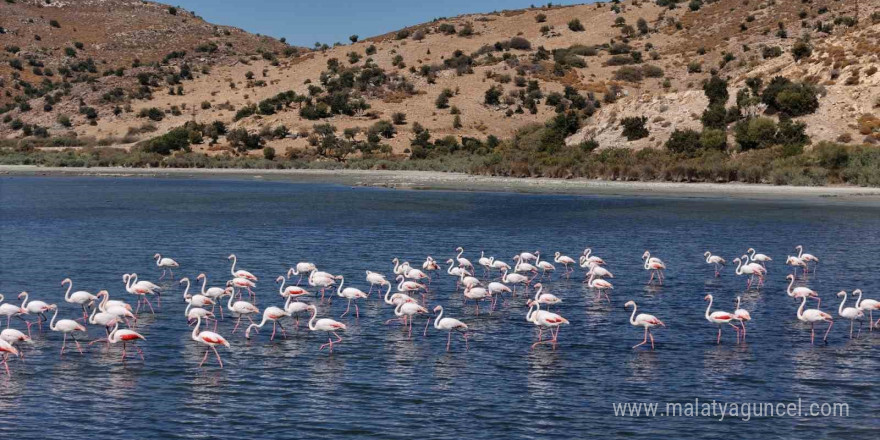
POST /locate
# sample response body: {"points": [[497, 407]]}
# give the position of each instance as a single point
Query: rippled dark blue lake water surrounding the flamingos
{"points": [[378, 383]]}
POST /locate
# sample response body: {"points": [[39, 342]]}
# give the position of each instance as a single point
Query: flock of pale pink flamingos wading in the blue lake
{"points": [[408, 303]]}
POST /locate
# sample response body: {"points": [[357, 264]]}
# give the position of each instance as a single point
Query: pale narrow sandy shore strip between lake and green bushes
{"points": [[430, 180]]}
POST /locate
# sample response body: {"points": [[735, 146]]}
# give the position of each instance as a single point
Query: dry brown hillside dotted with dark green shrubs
{"points": [[635, 58]]}
